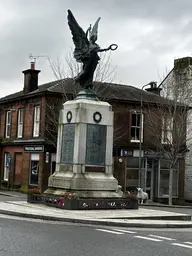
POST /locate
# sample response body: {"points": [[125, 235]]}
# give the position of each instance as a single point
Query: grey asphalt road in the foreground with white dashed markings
{"points": [[27, 237]]}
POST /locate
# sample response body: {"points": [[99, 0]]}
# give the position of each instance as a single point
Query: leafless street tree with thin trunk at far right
{"points": [[171, 135]]}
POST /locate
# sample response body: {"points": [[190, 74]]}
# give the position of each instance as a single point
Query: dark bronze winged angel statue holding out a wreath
{"points": [[86, 50]]}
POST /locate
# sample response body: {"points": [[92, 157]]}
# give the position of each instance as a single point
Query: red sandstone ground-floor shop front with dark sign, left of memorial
{"points": [[29, 165]]}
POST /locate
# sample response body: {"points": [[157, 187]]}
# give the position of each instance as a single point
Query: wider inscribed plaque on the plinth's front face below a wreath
{"points": [[96, 144]]}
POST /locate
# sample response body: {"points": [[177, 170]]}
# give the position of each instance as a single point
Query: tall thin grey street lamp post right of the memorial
{"points": [[141, 135]]}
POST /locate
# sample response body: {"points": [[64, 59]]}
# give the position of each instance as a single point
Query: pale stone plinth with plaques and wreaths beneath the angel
{"points": [[84, 151]]}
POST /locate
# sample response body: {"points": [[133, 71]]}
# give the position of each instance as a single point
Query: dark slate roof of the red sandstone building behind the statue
{"points": [[108, 91]]}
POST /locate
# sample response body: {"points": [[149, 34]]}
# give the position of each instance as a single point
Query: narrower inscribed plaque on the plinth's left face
{"points": [[67, 148]]}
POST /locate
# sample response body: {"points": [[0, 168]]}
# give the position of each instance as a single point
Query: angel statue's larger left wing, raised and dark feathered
{"points": [[79, 38]]}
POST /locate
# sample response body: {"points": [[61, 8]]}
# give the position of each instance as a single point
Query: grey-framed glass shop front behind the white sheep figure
{"points": [[153, 177]]}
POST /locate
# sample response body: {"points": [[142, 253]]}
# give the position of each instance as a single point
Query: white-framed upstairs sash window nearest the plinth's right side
{"points": [[136, 127]]}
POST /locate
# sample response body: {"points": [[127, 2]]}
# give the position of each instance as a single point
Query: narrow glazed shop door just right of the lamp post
{"points": [[149, 178]]}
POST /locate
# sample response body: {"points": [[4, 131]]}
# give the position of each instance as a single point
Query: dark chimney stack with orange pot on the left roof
{"points": [[30, 79]]}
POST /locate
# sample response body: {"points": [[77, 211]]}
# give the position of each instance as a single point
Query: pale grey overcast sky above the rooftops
{"points": [[150, 35]]}
